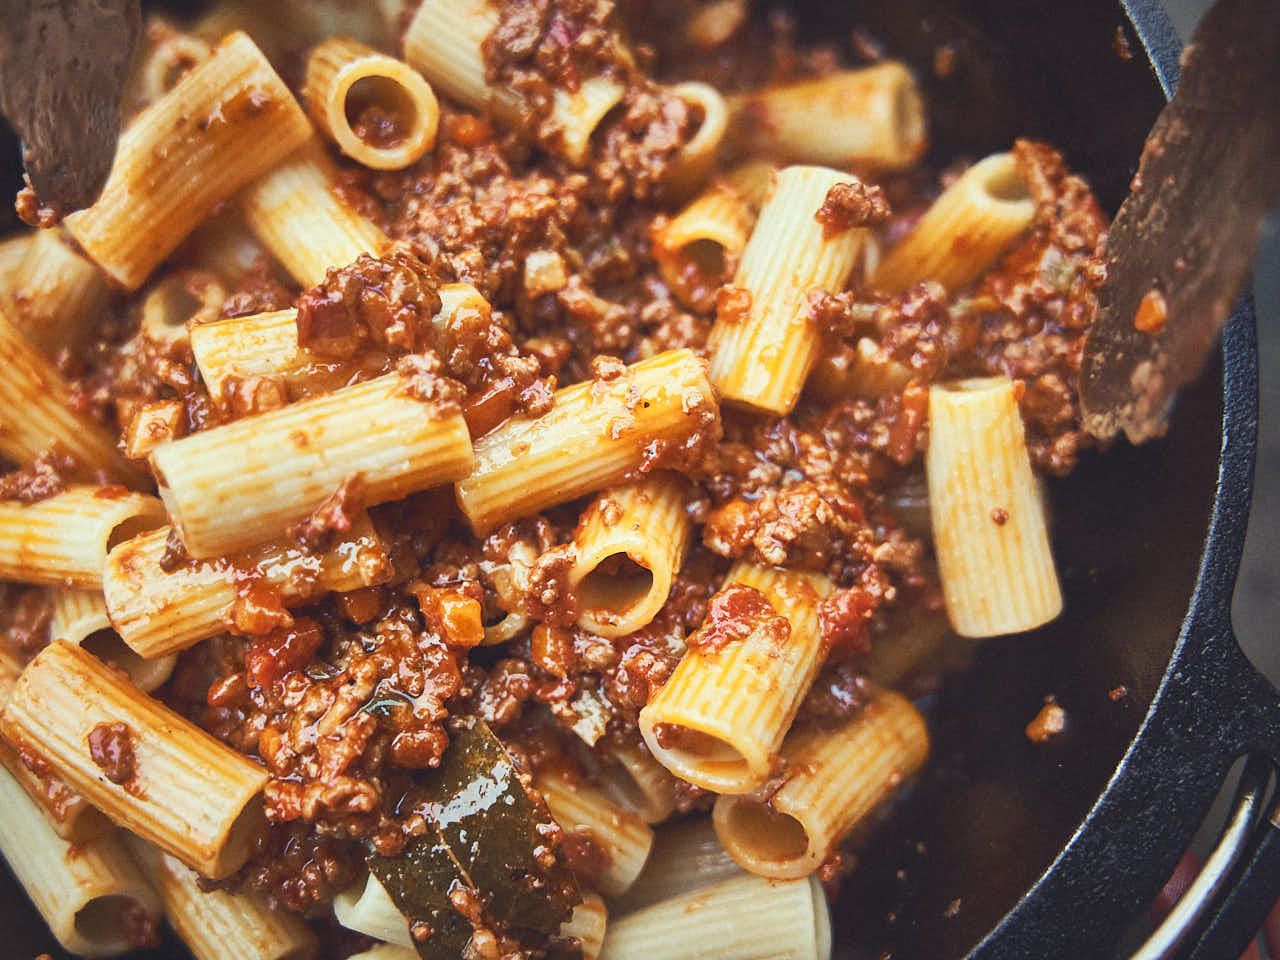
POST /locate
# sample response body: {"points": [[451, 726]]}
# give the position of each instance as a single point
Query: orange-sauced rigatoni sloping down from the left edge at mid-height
{"points": [[36, 413]]}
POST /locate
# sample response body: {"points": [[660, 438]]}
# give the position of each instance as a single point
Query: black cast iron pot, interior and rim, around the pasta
{"points": [[1016, 851]]}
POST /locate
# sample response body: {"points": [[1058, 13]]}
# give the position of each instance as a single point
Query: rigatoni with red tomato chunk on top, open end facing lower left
{"points": [[723, 716]]}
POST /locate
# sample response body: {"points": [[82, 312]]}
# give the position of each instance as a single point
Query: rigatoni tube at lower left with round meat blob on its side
{"points": [[180, 789]]}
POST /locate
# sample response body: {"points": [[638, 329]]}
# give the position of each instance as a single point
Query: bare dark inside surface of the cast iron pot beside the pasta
{"points": [[995, 810]]}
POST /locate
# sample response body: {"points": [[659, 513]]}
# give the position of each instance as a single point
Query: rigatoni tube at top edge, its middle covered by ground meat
{"points": [[445, 43]]}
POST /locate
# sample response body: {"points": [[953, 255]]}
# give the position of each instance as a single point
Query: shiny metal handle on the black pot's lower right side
{"points": [[1220, 912]]}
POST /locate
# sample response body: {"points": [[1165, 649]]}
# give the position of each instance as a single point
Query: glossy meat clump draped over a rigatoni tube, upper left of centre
{"points": [[387, 304]]}
